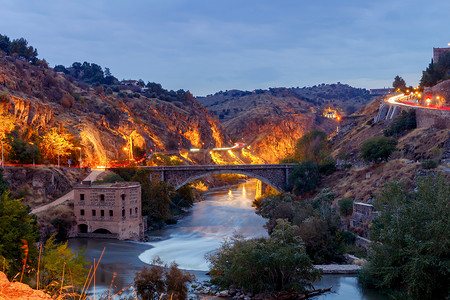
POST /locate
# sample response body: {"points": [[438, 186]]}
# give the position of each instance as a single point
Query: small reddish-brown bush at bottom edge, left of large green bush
{"points": [[162, 282]]}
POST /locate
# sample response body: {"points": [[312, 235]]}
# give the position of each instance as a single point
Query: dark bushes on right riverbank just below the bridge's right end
{"points": [[317, 223]]}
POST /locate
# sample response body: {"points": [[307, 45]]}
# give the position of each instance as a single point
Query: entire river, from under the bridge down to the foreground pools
{"points": [[223, 213]]}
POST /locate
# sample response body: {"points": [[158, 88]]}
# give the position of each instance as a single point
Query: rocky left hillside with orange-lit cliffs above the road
{"points": [[104, 122]]}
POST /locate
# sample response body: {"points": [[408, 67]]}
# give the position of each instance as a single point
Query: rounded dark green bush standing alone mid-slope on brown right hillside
{"points": [[377, 149]]}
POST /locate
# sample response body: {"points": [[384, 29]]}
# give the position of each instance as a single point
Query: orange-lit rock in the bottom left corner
{"points": [[19, 291]]}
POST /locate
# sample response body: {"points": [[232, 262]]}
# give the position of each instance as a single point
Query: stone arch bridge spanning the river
{"points": [[274, 175]]}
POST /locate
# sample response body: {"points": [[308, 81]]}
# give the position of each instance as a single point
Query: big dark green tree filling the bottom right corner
{"points": [[411, 241]]}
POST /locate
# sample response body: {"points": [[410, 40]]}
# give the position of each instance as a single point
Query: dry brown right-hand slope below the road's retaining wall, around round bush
{"points": [[363, 181]]}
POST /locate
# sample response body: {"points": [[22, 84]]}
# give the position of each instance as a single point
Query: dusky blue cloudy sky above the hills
{"points": [[210, 45]]}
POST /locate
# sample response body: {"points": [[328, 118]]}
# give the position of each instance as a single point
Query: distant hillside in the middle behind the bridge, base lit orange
{"points": [[271, 121]]}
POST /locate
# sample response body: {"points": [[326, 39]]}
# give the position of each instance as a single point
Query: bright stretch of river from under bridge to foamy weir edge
{"points": [[222, 215]]}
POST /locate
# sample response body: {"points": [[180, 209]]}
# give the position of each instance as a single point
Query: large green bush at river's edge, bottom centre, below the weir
{"points": [[278, 263]]}
